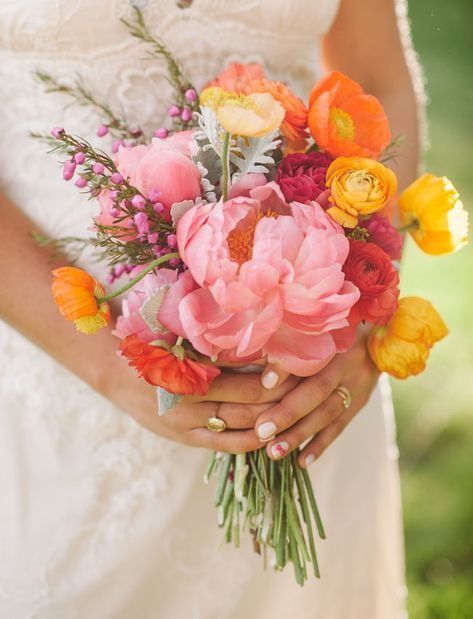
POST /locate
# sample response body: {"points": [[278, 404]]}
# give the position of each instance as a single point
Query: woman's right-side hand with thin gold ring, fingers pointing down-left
{"points": [[313, 409]]}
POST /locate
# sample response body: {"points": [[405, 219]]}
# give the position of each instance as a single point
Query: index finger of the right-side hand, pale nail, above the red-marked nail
{"points": [[304, 398]]}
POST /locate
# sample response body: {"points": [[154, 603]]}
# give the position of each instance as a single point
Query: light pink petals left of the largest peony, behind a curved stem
{"points": [[131, 321]]}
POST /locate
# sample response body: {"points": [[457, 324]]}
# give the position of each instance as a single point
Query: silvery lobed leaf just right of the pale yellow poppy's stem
{"points": [[252, 156]]}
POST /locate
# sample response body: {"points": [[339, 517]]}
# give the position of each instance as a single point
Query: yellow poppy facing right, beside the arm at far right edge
{"points": [[432, 207]]}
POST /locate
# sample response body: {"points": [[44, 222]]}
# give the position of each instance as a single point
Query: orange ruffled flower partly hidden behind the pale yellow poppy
{"points": [[294, 126]]}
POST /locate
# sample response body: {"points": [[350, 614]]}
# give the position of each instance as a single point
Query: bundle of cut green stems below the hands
{"points": [[274, 501]]}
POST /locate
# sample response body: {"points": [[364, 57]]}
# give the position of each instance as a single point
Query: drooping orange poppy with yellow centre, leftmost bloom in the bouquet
{"points": [[75, 293]]}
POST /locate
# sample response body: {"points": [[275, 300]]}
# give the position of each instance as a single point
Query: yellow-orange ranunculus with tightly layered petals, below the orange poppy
{"points": [[359, 186]]}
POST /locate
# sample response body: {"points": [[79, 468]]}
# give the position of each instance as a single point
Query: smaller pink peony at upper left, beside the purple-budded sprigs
{"points": [[163, 166]]}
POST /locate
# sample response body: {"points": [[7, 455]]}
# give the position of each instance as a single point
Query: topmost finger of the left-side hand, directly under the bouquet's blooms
{"points": [[245, 389]]}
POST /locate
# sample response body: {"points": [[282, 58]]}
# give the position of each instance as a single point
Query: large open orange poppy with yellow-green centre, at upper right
{"points": [[344, 120]]}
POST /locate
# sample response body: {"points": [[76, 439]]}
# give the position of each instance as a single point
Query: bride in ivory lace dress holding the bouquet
{"points": [[103, 511]]}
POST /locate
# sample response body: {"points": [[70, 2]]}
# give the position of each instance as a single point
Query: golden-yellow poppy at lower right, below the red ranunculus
{"points": [[403, 346]]}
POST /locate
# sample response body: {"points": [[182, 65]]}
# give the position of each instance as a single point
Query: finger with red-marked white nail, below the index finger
{"points": [[306, 427]]}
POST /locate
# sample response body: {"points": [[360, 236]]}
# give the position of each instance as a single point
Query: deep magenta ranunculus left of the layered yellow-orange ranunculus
{"points": [[301, 176]]}
